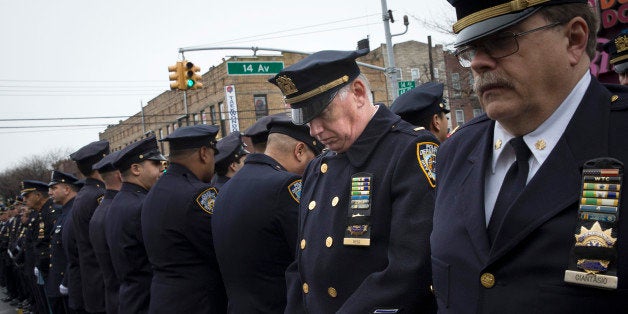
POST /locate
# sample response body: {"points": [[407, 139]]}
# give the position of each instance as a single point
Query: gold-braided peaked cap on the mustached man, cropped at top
{"points": [[477, 19]]}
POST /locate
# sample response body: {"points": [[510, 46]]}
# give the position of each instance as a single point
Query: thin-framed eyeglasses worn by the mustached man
{"points": [[499, 46]]}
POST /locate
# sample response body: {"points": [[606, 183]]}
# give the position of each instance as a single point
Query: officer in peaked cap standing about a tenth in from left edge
{"points": [[62, 190]]}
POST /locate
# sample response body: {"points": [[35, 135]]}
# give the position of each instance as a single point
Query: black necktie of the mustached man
{"points": [[513, 185]]}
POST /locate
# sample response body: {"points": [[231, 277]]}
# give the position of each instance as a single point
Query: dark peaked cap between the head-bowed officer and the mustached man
{"points": [[420, 102]]}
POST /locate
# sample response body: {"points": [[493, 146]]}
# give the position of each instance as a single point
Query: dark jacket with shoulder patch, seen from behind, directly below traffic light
{"points": [[176, 224]]}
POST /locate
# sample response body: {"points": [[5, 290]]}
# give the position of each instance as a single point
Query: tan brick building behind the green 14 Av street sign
{"points": [[254, 96]]}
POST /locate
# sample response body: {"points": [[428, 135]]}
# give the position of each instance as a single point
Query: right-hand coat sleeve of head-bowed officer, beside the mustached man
{"points": [[404, 283]]}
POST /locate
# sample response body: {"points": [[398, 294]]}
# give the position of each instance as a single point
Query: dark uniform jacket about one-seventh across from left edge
{"points": [[91, 276]]}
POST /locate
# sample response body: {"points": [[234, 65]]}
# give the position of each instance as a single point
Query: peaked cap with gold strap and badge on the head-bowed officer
{"points": [[312, 83]]}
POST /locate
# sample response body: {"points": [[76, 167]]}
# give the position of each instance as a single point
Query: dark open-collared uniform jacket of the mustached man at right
{"points": [[531, 251]]}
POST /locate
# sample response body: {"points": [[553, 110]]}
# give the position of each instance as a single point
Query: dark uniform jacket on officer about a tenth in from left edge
{"points": [[58, 260]]}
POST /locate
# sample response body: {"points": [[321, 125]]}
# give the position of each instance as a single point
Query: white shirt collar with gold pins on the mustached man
{"points": [[543, 140]]}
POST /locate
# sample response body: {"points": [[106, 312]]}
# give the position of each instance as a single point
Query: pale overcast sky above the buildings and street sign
{"points": [[80, 60]]}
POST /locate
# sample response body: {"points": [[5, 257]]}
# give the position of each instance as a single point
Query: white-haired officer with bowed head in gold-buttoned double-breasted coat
{"points": [[367, 203]]}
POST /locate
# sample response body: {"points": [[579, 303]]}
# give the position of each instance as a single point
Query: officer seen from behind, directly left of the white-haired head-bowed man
{"points": [[256, 217]]}
